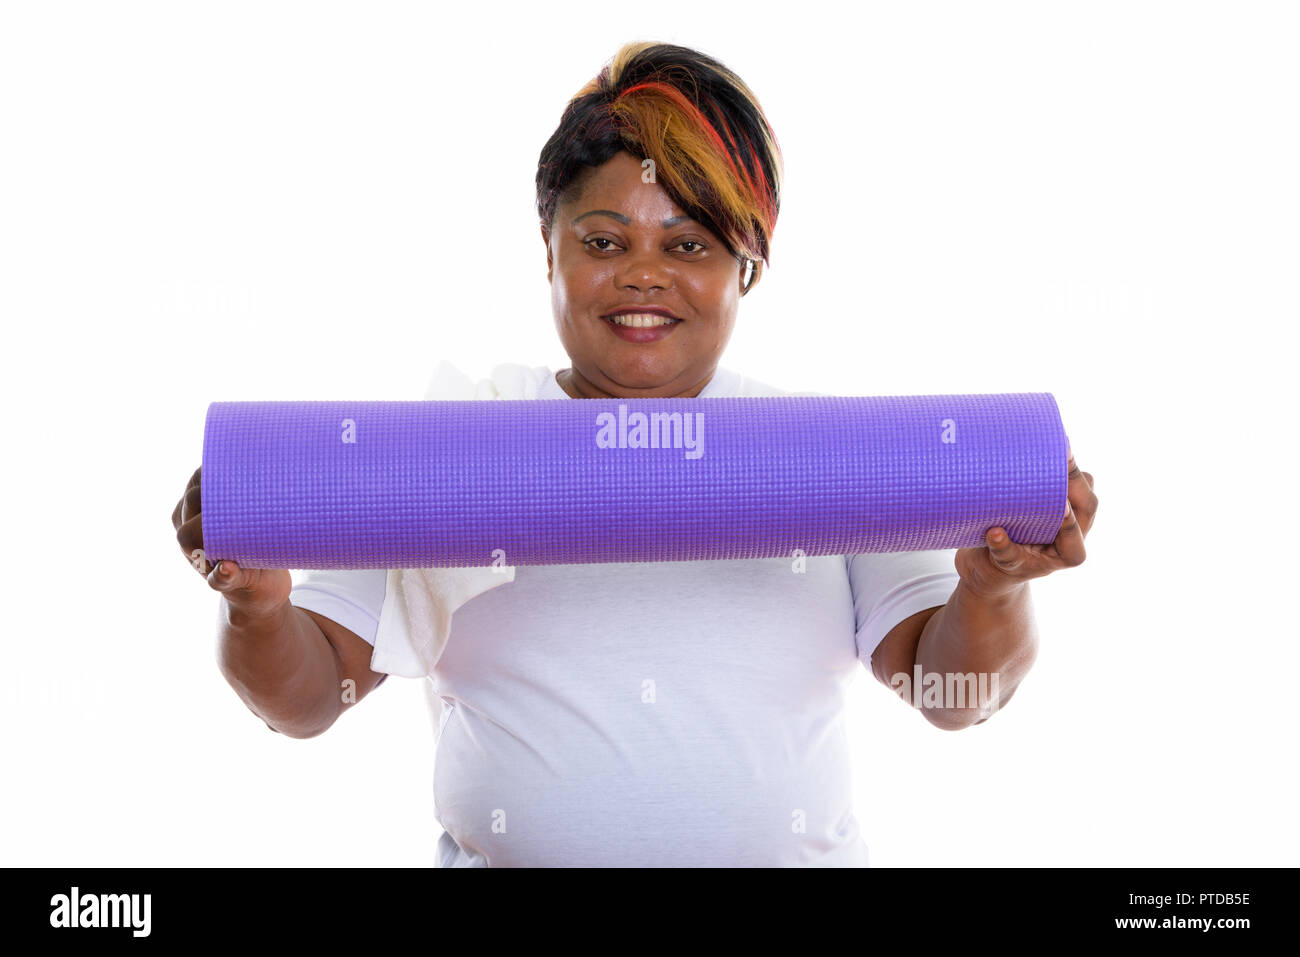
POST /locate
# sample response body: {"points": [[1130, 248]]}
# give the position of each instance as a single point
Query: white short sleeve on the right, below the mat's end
{"points": [[890, 587]]}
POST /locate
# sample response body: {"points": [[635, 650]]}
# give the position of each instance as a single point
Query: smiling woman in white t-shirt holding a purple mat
{"points": [[648, 714]]}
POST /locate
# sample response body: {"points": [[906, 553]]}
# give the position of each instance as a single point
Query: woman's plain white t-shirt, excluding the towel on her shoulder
{"points": [[657, 714]]}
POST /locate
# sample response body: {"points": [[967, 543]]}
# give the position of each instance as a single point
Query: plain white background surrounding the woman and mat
{"points": [[320, 201]]}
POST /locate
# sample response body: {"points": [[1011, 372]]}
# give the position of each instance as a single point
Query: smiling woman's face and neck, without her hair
{"points": [[623, 246]]}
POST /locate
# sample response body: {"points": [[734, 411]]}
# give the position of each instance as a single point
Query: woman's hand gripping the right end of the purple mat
{"points": [[1003, 566]]}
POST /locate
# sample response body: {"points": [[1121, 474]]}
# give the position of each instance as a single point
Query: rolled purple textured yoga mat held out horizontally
{"points": [[577, 482]]}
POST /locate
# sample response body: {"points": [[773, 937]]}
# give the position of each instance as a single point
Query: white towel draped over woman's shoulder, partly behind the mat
{"points": [[419, 603]]}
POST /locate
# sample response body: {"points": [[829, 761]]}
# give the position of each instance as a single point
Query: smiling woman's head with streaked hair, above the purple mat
{"points": [[658, 196]]}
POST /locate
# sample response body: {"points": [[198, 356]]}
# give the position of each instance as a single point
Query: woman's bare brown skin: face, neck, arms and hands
{"points": [[289, 665]]}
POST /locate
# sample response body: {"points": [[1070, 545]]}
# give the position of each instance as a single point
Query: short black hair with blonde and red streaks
{"points": [[714, 151]]}
